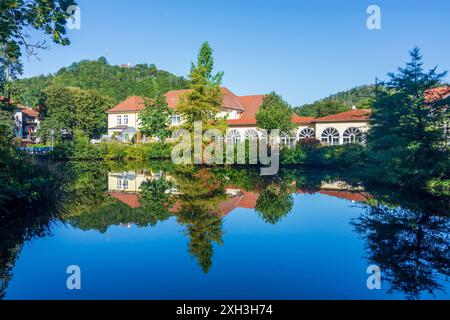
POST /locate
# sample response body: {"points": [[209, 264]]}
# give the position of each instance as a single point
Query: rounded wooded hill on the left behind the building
{"points": [[117, 82]]}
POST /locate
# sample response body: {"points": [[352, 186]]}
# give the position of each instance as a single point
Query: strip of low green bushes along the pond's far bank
{"points": [[306, 155]]}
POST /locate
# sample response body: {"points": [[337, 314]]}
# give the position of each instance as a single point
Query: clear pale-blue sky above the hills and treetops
{"points": [[304, 50]]}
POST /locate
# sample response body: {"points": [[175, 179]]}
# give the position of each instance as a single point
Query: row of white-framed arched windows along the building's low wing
{"points": [[330, 136]]}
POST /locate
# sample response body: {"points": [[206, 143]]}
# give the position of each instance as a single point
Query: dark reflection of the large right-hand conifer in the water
{"points": [[410, 246]]}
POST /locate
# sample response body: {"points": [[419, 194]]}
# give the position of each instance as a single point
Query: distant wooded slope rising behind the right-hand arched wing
{"points": [[360, 97]]}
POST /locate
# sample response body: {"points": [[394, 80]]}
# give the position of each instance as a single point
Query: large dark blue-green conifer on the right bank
{"points": [[405, 143]]}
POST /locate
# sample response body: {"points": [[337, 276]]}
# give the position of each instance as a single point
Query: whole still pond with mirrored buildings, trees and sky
{"points": [[155, 231]]}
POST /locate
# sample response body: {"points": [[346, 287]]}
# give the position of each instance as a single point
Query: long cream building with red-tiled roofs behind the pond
{"points": [[240, 112]]}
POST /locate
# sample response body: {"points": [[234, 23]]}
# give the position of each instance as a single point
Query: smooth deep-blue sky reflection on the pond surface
{"points": [[312, 253]]}
